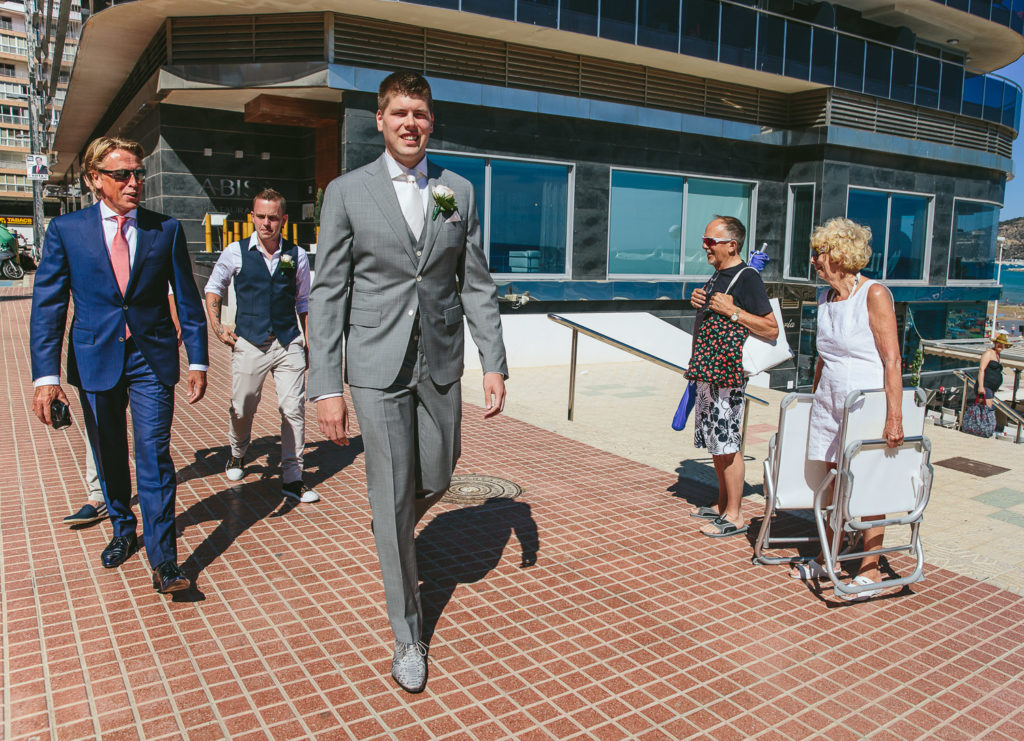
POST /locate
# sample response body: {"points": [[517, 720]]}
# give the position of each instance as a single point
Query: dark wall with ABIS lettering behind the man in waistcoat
{"points": [[185, 184]]}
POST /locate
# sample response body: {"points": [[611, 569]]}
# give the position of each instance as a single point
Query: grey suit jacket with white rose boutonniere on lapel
{"points": [[370, 283]]}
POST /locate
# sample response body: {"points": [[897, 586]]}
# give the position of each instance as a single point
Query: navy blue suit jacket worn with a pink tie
{"points": [[76, 263]]}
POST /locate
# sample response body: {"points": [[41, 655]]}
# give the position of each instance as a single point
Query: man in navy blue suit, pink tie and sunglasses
{"points": [[116, 260]]}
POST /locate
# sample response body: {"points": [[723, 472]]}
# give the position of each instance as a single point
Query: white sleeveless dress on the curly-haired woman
{"points": [[851, 362]]}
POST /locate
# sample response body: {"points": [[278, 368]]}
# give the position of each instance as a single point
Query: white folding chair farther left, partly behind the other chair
{"points": [[791, 480]]}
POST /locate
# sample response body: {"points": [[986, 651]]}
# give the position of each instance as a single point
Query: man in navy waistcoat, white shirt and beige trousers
{"points": [[272, 291]]}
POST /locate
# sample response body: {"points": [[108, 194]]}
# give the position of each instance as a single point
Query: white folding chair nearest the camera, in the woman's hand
{"points": [[875, 481]]}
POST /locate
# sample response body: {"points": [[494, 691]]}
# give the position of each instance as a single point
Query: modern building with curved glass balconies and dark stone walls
{"points": [[602, 137]]}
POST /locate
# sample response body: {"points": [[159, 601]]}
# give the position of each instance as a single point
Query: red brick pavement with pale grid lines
{"points": [[627, 627]]}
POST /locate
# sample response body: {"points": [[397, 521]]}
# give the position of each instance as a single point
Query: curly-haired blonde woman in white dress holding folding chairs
{"points": [[859, 348]]}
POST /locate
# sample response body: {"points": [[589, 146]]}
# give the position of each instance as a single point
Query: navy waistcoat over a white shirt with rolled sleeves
{"points": [[266, 302]]}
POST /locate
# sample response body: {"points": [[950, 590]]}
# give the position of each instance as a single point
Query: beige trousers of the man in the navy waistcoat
{"points": [[250, 365]]}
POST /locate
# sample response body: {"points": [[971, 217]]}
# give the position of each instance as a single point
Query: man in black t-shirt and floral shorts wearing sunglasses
{"points": [[731, 307]]}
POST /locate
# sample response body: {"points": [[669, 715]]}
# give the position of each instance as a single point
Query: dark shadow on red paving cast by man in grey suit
{"points": [[461, 547]]}
